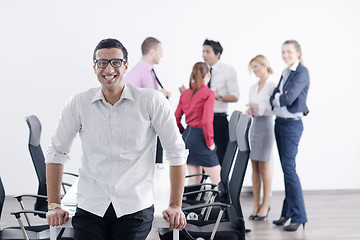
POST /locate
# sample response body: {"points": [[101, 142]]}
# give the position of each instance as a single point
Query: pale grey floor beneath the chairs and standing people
{"points": [[331, 214]]}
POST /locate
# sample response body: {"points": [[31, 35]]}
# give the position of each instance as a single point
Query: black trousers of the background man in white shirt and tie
{"points": [[221, 134]]}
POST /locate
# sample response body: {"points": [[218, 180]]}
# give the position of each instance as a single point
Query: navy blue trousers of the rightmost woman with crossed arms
{"points": [[288, 134]]}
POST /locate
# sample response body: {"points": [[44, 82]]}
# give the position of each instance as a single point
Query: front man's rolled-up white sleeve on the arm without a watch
{"points": [[164, 123]]}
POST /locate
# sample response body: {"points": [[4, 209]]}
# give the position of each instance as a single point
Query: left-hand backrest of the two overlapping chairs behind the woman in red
{"points": [[229, 153]]}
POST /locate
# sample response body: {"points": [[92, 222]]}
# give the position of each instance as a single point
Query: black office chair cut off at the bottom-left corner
{"points": [[28, 232]]}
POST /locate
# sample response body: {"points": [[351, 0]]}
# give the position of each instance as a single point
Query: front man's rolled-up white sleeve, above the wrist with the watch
{"points": [[67, 128]]}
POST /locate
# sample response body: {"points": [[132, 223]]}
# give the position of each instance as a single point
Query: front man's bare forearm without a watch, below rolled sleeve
{"points": [[177, 181]]}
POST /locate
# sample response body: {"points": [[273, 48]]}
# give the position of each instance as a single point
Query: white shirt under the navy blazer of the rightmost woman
{"points": [[282, 111]]}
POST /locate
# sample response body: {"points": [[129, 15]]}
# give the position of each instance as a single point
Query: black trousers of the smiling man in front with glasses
{"points": [[135, 226]]}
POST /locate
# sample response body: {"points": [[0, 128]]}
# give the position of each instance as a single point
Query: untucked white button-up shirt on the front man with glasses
{"points": [[119, 145]]}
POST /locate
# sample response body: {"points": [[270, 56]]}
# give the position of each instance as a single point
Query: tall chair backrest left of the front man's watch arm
{"points": [[38, 159]]}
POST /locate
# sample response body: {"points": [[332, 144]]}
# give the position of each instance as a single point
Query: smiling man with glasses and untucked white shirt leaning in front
{"points": [[118, 125]]}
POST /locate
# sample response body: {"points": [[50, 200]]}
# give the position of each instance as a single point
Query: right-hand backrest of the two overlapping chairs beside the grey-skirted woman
{"points": [[240, 163]]}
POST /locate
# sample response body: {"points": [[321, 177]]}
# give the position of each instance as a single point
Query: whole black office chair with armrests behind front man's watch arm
{"points": [[38, 160]]}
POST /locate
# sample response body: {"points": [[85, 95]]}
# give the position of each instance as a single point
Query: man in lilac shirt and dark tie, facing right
{"points": [[143, 75]]}
